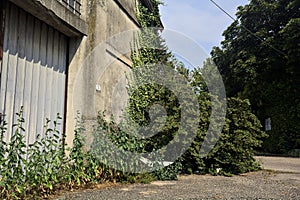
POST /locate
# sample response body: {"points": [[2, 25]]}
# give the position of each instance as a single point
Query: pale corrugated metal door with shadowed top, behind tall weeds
{"points": [[33, 72]]}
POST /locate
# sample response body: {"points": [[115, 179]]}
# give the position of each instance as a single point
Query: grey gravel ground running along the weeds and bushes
{"points": [[283, 183]]}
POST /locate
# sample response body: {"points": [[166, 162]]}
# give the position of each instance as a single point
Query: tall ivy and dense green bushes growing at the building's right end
{"points": [[234, 151]]}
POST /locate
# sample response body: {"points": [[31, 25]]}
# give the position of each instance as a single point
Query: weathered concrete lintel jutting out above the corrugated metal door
{"points": [[55, 14]]}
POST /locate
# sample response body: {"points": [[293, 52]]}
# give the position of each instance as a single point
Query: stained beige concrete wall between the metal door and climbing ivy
{"points": [[105, 68]]}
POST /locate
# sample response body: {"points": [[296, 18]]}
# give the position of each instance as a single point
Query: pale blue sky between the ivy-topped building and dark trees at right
{"points": [[199, 20]]}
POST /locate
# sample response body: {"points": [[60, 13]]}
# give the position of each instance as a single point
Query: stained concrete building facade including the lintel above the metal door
{"points": [[88, 71]]}
